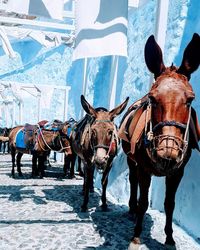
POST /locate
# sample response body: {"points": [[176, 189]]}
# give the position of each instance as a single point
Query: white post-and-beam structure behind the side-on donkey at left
{"points": [[22, 93]]}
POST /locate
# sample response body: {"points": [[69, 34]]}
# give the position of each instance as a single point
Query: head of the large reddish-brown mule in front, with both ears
{"points": [[170, 97]]}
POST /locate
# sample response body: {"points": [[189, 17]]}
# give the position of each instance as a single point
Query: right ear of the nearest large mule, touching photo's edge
{"points": [[191, 57]]}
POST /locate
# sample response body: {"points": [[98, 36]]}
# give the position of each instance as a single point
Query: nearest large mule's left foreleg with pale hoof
{"points": [[144, 183]]}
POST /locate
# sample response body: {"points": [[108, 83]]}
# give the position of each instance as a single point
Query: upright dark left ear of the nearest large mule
{"points": [[153, 57]]}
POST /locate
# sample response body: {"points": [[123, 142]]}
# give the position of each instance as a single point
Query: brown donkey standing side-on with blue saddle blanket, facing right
{"points": [[38, 142]]}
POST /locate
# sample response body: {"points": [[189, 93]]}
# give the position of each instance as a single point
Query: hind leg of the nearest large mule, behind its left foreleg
{"points": [[133, 179]]}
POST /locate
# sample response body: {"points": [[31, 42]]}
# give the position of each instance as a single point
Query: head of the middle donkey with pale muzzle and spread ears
{"points": [[104, 138]]}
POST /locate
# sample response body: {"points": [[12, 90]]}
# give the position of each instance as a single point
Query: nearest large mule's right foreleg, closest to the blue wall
{"points": [[172, 184]]}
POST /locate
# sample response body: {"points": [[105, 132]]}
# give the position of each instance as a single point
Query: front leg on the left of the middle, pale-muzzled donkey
{"points": [[86, 187]]}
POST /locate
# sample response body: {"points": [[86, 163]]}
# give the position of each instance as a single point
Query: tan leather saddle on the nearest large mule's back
{"points": [[134, 122]]}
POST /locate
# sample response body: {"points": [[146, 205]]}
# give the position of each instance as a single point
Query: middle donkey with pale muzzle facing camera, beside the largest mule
{"points": [[95, 141]]}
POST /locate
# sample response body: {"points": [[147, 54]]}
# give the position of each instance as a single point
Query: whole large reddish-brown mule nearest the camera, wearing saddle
{"points": [[161, 143]]}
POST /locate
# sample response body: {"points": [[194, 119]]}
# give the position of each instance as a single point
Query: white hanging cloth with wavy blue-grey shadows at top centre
{"points": [[101, 28]]}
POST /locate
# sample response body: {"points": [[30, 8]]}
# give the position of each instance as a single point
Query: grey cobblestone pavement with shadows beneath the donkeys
{"points": [[40, 214]]}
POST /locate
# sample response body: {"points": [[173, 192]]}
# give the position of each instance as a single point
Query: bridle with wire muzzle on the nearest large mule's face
{"points": [[152, 141]]}
